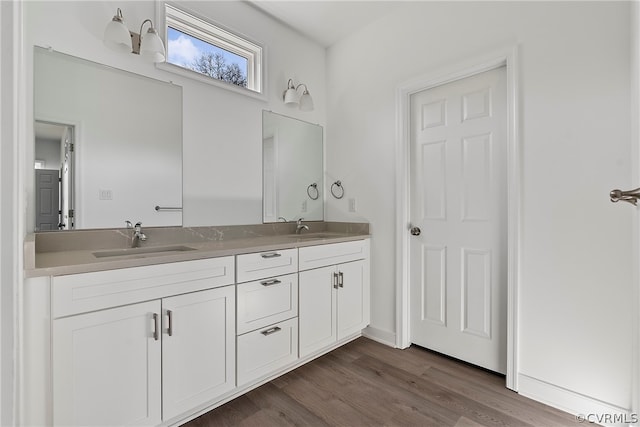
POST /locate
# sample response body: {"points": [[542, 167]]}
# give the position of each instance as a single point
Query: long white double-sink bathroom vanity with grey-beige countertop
{"points": [[161, 334]]}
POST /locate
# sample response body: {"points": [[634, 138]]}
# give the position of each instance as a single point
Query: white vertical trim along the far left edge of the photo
{"points": [[12, 155]]}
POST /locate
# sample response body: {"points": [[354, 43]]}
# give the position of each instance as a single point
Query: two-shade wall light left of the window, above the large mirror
{"points": [[118, 37]]}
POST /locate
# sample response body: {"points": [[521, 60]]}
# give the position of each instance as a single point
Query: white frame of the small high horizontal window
{"points": [[195, 25]]}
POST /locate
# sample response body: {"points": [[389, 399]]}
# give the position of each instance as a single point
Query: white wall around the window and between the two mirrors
{"points": [[222, 132]]}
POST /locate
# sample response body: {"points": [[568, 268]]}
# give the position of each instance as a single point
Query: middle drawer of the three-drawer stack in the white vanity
{"points": [[265, 302]]}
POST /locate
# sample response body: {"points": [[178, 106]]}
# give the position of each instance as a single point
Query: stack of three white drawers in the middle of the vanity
{"points": [[267, 313]]}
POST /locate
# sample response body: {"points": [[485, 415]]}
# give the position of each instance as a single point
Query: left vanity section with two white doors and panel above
{"points": [[142, 363]]}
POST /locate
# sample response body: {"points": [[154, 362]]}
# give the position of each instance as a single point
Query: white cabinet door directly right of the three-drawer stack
{"points": [[316, 307]]}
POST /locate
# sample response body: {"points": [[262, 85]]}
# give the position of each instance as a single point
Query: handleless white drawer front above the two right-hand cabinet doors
{"points": [[334, 253]]}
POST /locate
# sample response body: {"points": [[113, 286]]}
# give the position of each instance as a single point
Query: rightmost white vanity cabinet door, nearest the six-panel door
{"points": [[353, 298]]}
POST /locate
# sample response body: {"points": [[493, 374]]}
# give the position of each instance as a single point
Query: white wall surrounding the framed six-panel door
{"points": [[576, 270]]}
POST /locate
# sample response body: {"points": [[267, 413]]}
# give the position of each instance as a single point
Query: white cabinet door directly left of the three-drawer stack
{"points": [[198, 349]]}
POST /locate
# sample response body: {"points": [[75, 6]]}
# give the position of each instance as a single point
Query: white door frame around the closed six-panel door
{"points": [[507, 57]]}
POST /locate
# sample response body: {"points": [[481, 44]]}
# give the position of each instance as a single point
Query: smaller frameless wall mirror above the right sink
{"points": [[292, 169]]}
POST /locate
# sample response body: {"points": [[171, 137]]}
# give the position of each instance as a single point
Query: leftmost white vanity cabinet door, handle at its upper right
{"points": [[106, 367]]}
